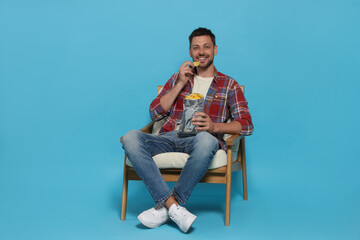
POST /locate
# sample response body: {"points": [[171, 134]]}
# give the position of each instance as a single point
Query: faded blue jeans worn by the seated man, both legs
{"points": [[140, 147]]}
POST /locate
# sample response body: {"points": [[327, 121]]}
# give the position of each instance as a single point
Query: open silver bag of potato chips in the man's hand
{"points": [[192, 104]]}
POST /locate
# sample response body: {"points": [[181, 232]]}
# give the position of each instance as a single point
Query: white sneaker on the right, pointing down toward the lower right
{"points": [[182, 217]]}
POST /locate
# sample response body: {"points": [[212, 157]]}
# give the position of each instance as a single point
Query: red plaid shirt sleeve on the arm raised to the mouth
{"points": [[157, 112]]}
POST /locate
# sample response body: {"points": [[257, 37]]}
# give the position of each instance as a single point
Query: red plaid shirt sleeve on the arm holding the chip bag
{"points": [[239, 109]]}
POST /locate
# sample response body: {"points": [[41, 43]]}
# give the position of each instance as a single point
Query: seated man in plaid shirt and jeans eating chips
{"points": [[224, 100]]}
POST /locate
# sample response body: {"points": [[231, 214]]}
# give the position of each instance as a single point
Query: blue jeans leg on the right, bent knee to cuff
{"points": [[201, 149]]}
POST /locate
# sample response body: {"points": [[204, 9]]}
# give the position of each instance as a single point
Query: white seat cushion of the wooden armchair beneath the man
{"points": [[178, 160]]}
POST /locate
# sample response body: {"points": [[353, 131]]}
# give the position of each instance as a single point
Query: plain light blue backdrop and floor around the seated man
{"points": [[77, 75]]}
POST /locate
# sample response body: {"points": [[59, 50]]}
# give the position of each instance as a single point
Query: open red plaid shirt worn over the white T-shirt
{"points": [[224, 100]]}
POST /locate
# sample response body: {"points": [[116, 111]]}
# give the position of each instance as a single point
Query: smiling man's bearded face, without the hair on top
{"points": [[203, 50]]}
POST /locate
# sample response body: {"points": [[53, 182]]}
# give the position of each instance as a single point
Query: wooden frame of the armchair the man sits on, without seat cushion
{"points": [[235, 161]]}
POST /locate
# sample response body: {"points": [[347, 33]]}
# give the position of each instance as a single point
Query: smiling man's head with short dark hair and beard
{"points": [[202, 47]]}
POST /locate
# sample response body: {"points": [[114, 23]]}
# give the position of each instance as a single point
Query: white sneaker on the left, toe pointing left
{"points": [[154, 217]]}
